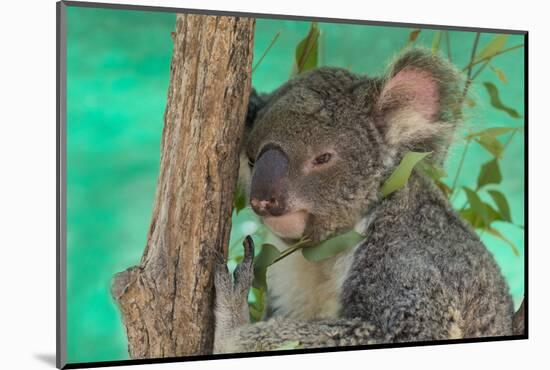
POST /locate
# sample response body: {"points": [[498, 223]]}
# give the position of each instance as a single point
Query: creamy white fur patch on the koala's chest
{"points": [[304, 290]]}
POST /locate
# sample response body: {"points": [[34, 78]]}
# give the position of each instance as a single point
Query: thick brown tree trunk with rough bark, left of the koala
{"points": [[167, 301]]}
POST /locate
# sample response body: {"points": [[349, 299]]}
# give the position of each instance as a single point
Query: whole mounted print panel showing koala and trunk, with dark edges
{"points": [[236, 185]]}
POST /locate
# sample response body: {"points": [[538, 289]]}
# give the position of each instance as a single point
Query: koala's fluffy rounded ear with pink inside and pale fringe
{"points": [[419, 102]]}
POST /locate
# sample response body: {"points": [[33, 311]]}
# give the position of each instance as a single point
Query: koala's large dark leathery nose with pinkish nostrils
{"points": [[267, 188]]}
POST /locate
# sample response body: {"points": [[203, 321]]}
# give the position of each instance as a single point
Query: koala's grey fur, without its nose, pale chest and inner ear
{"points": [[423, 273]]}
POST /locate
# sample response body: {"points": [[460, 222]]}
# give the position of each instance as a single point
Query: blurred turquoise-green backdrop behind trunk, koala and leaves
{"points": [[117, 79]]}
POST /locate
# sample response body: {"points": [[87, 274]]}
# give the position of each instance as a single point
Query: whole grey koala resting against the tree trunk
{"points": [[319, 148]]}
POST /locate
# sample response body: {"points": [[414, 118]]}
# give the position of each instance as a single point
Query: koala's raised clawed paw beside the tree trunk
{"points": [[232, 296]]}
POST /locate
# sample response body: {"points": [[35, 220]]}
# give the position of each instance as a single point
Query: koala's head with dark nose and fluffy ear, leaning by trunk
{"points": [[320, 146]]}
